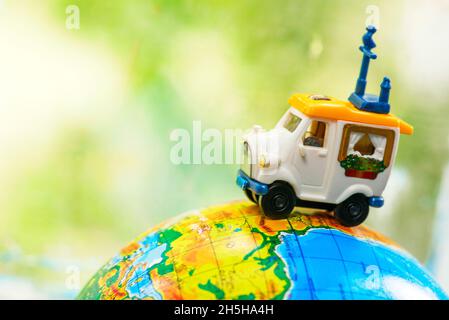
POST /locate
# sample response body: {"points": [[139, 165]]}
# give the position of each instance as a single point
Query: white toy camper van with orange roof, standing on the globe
{"points": [[325, 153]]}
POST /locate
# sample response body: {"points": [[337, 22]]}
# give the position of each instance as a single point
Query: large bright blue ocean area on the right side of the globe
{"points": [[329, 264]]}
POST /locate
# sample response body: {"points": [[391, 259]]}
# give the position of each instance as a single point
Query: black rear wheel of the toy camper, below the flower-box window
{"points": [[353, 211]]}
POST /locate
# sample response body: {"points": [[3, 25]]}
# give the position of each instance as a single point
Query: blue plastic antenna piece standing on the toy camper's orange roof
{"points": [[358, 98]]}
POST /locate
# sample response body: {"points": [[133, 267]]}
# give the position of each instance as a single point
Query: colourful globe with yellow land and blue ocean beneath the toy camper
{"points": [[232, 251]]}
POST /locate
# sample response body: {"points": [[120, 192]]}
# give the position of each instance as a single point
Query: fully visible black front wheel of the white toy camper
{"points": [[279, 202]]}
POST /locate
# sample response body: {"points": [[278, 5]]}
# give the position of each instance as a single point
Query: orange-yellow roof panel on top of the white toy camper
{"points": [[335, 109]]}
